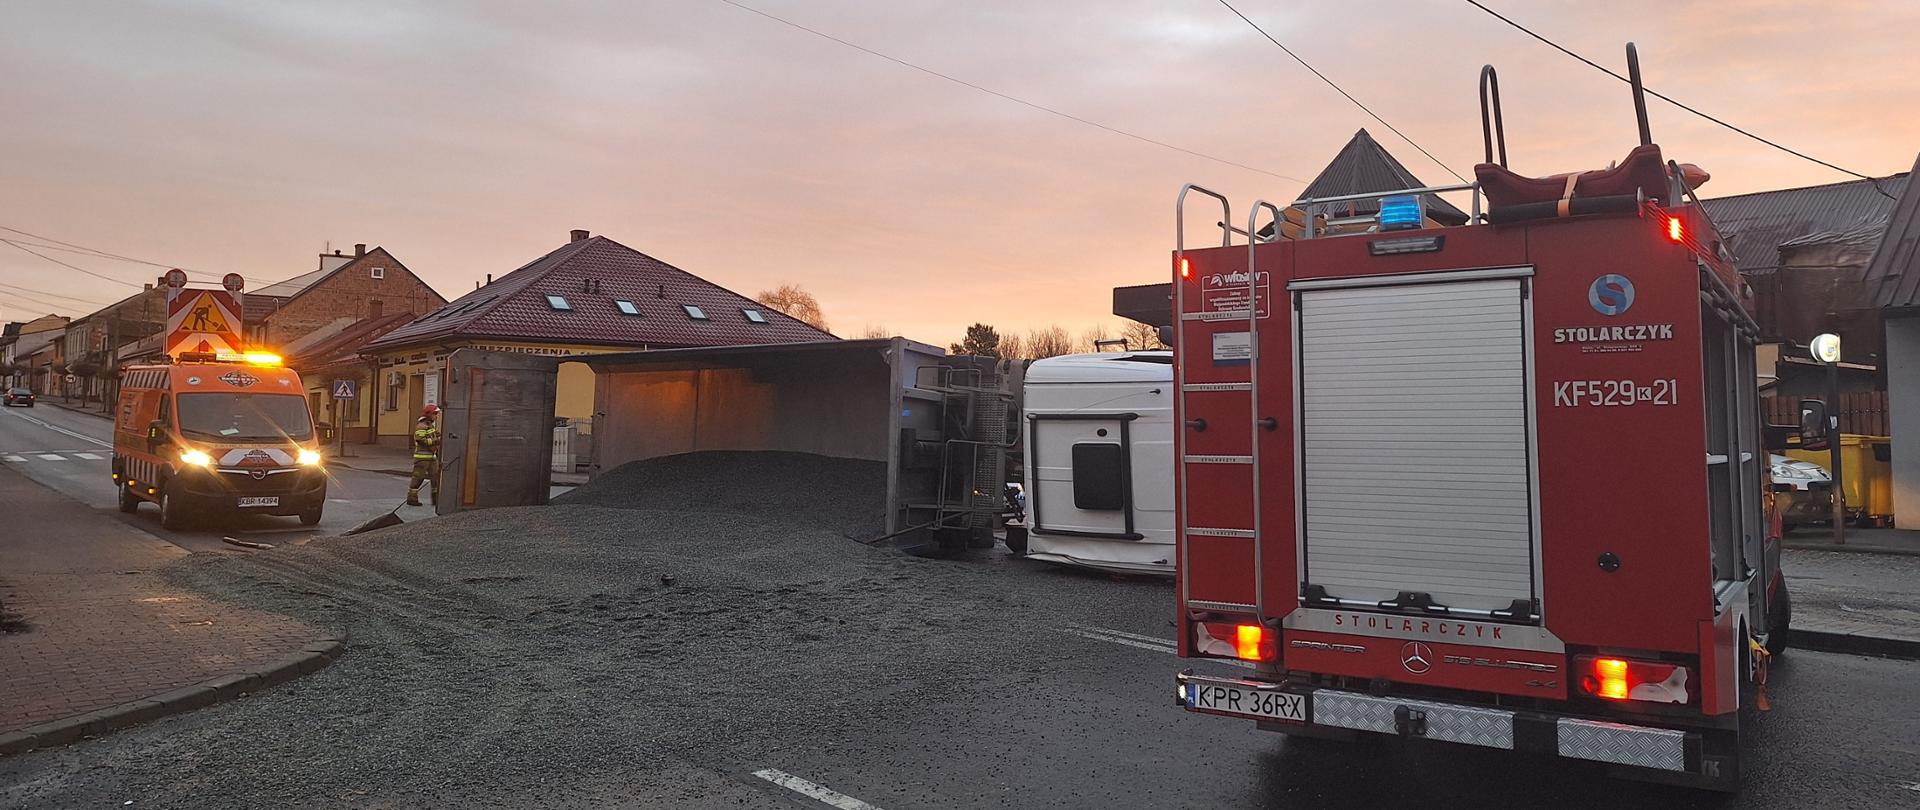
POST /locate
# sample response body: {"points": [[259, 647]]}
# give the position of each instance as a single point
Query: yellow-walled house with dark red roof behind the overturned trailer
{"points": [[587, 297]]}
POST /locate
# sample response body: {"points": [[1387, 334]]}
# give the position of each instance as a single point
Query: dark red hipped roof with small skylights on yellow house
{"points": [[594, 275]]}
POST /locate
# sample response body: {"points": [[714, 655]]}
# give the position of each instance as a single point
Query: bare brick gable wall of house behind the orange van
{"points": [[350, 293]]}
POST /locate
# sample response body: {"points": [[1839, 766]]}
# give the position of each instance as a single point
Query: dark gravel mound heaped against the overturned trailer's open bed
{"points": [[846, 496]]}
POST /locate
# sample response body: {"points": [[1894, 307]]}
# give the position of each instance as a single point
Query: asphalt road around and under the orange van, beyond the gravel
{"points": [[72, 452]]}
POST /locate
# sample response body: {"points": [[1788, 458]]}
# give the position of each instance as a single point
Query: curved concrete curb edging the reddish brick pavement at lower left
{"points": [[185, 700]]}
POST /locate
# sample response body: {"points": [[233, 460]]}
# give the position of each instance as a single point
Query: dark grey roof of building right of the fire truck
{"points": [[1756, 226]]}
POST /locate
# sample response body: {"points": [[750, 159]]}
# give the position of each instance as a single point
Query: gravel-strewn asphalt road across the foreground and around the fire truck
{"points": [[514, 659]]}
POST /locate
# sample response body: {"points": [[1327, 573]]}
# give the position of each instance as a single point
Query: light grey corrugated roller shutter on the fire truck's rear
{"points": [[1416, 442]]}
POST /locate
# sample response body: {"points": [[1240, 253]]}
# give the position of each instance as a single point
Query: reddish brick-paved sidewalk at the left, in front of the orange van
{"points": [[101, 627]]}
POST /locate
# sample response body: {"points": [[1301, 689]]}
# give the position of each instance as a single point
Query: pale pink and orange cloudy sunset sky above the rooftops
{"points": [[469, 137]]}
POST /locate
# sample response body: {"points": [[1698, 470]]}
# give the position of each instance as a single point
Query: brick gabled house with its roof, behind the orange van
{"points": [[343, 291]]}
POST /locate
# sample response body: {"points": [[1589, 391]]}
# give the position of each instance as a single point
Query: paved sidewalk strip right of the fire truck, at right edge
{"points": [[1869, 604]]}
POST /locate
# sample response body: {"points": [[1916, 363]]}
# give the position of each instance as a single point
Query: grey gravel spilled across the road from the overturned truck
{"points": [[569, 655]]}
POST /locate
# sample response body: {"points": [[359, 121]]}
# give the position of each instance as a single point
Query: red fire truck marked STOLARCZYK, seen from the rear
{"points": [[1497, 485]]}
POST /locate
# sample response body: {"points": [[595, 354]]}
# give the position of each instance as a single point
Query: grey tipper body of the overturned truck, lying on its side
{"points": [[938, 427]]}
